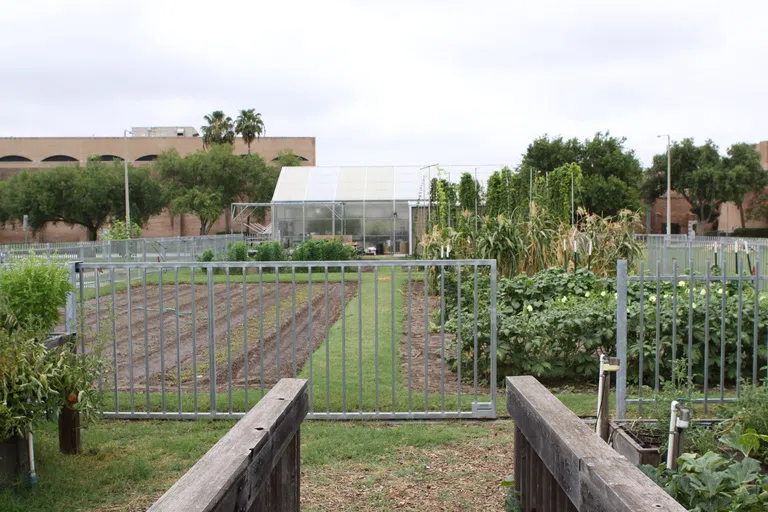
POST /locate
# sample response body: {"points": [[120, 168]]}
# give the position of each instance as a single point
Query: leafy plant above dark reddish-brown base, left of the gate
{"points": [[73, 393]]}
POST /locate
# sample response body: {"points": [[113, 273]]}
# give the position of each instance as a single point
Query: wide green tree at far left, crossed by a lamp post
{"points": [[87, 196]]}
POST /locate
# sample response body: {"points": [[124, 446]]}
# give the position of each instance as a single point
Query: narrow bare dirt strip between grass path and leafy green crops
{"points": [[435, 368]]}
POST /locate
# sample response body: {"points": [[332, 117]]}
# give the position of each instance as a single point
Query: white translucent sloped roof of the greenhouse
{"points": [[372, 183]]}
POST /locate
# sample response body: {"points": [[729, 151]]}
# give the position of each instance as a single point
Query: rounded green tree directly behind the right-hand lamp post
{"points": [[698, 174]]}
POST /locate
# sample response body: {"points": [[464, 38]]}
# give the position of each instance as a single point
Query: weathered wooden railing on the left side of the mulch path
{"points": [[255, 466]]}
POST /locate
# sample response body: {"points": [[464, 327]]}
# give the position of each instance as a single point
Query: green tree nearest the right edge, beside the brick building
{"points": [[744, 174]]}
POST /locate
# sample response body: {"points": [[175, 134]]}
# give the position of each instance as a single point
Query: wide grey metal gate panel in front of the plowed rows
{"points": [[188, 339]]}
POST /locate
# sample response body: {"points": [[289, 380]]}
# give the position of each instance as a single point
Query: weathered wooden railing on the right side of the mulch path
{"points": [[562, 465]]}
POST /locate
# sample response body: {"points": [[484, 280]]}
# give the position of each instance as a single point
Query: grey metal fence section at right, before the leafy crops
{"points": [[716, 321]]}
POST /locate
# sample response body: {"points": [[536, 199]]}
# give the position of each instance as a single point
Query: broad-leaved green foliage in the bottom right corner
{"points": [[713, 483]]}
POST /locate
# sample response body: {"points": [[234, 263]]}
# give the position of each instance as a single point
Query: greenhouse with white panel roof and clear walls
{"points": [[379, 209]]}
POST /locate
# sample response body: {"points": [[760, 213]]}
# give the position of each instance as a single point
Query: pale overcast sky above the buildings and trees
{"points": [[395, 81]]}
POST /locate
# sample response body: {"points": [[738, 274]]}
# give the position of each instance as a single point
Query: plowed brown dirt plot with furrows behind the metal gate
{"points": [[170, 343]]}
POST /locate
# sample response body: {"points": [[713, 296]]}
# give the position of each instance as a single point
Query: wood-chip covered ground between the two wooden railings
{"points": [[466, 476]]}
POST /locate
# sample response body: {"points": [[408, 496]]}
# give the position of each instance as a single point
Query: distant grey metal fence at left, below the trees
{"points": [[138, 249]]}
